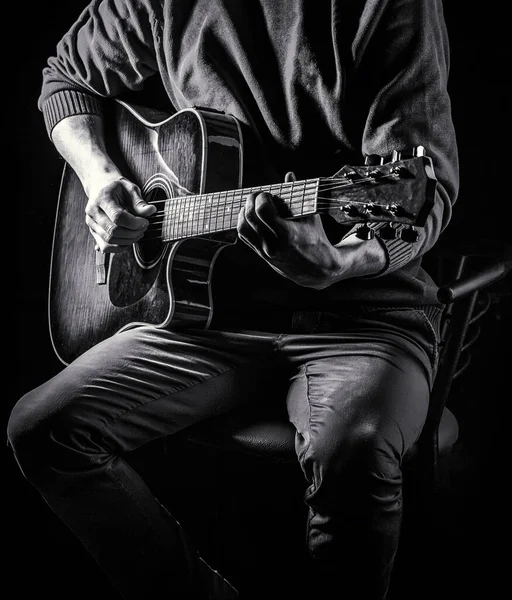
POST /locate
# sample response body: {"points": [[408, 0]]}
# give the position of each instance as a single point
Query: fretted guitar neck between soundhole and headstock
{"points": [[205, 214]]}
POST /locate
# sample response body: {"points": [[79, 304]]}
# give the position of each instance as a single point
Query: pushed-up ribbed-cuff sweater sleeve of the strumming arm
{"points": [[110, 49]]}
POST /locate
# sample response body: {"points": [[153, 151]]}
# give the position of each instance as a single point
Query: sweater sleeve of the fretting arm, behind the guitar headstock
{"points": [[401, 67]]}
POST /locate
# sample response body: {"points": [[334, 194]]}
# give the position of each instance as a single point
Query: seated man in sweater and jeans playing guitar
{"points": [[349, 323]]}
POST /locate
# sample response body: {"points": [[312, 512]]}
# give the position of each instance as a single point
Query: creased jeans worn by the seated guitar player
{"points": [[358, 392]]}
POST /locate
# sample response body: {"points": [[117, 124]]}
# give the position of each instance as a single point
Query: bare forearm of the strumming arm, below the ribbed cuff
{"points": [[79, 139]]}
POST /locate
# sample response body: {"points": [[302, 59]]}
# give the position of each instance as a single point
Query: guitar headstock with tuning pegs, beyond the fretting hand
{"points": [[399, 192]]}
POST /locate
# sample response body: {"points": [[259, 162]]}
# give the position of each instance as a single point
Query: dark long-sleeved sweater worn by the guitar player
{"points": [[348, 78]]}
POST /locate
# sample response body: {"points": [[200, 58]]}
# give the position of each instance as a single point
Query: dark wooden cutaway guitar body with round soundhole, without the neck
{"points": [[165, 284]]}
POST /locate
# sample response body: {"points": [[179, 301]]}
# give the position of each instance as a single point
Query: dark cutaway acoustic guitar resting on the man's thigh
{"points": [[191, 166]]}
